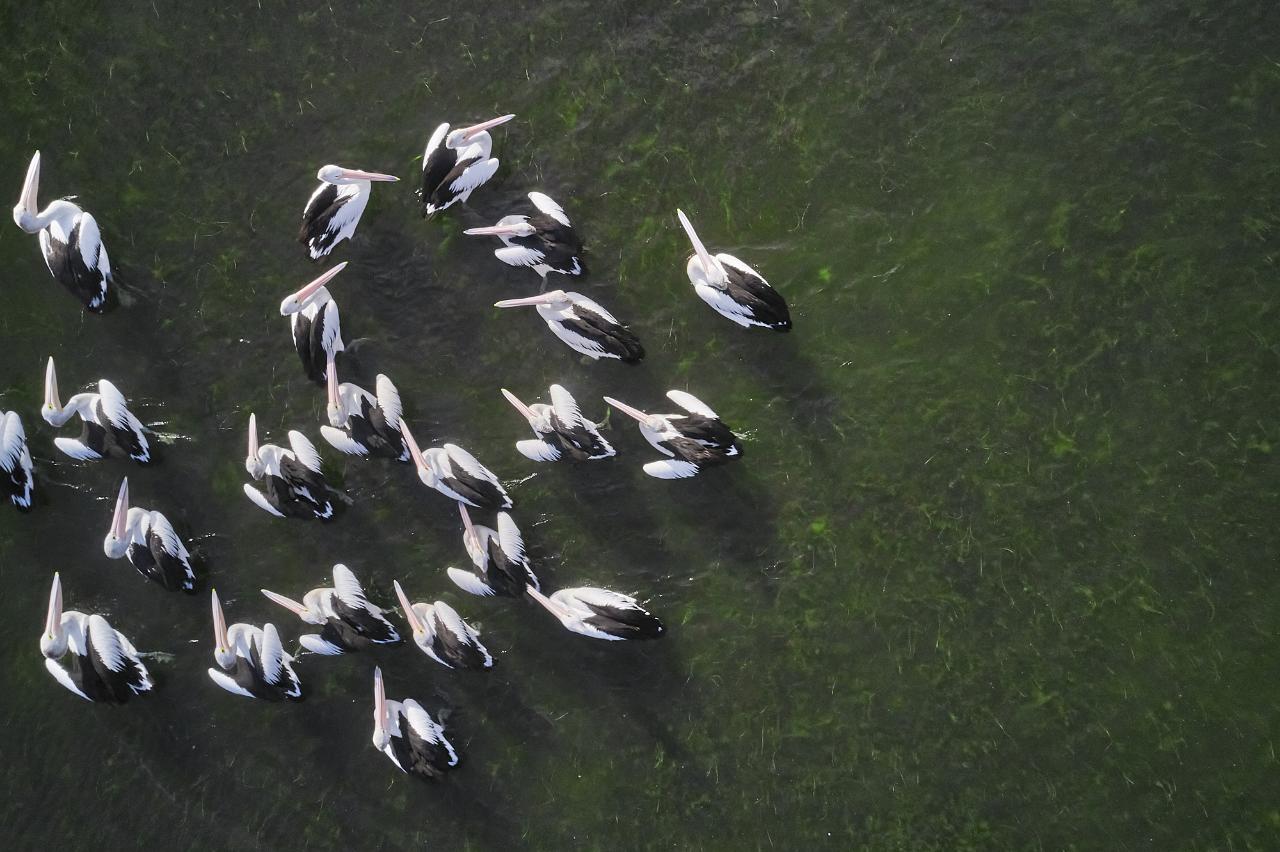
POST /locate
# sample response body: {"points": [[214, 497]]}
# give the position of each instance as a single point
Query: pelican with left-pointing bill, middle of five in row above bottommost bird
{"points": [[351, 624]]}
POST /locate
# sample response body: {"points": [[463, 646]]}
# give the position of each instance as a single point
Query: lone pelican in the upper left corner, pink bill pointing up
{"points": [[71, 242]]}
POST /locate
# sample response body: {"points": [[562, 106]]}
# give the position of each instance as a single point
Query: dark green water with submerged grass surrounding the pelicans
{"points": [[998, 571]]}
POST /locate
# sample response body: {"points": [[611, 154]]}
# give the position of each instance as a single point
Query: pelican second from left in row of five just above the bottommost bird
{"points": [[253, 662]]}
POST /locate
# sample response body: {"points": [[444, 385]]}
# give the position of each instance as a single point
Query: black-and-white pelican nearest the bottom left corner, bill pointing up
{"points": [[103, 666]]}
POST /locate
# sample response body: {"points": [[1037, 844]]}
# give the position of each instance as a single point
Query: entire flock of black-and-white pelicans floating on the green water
{"points": [[97, 662]]}
